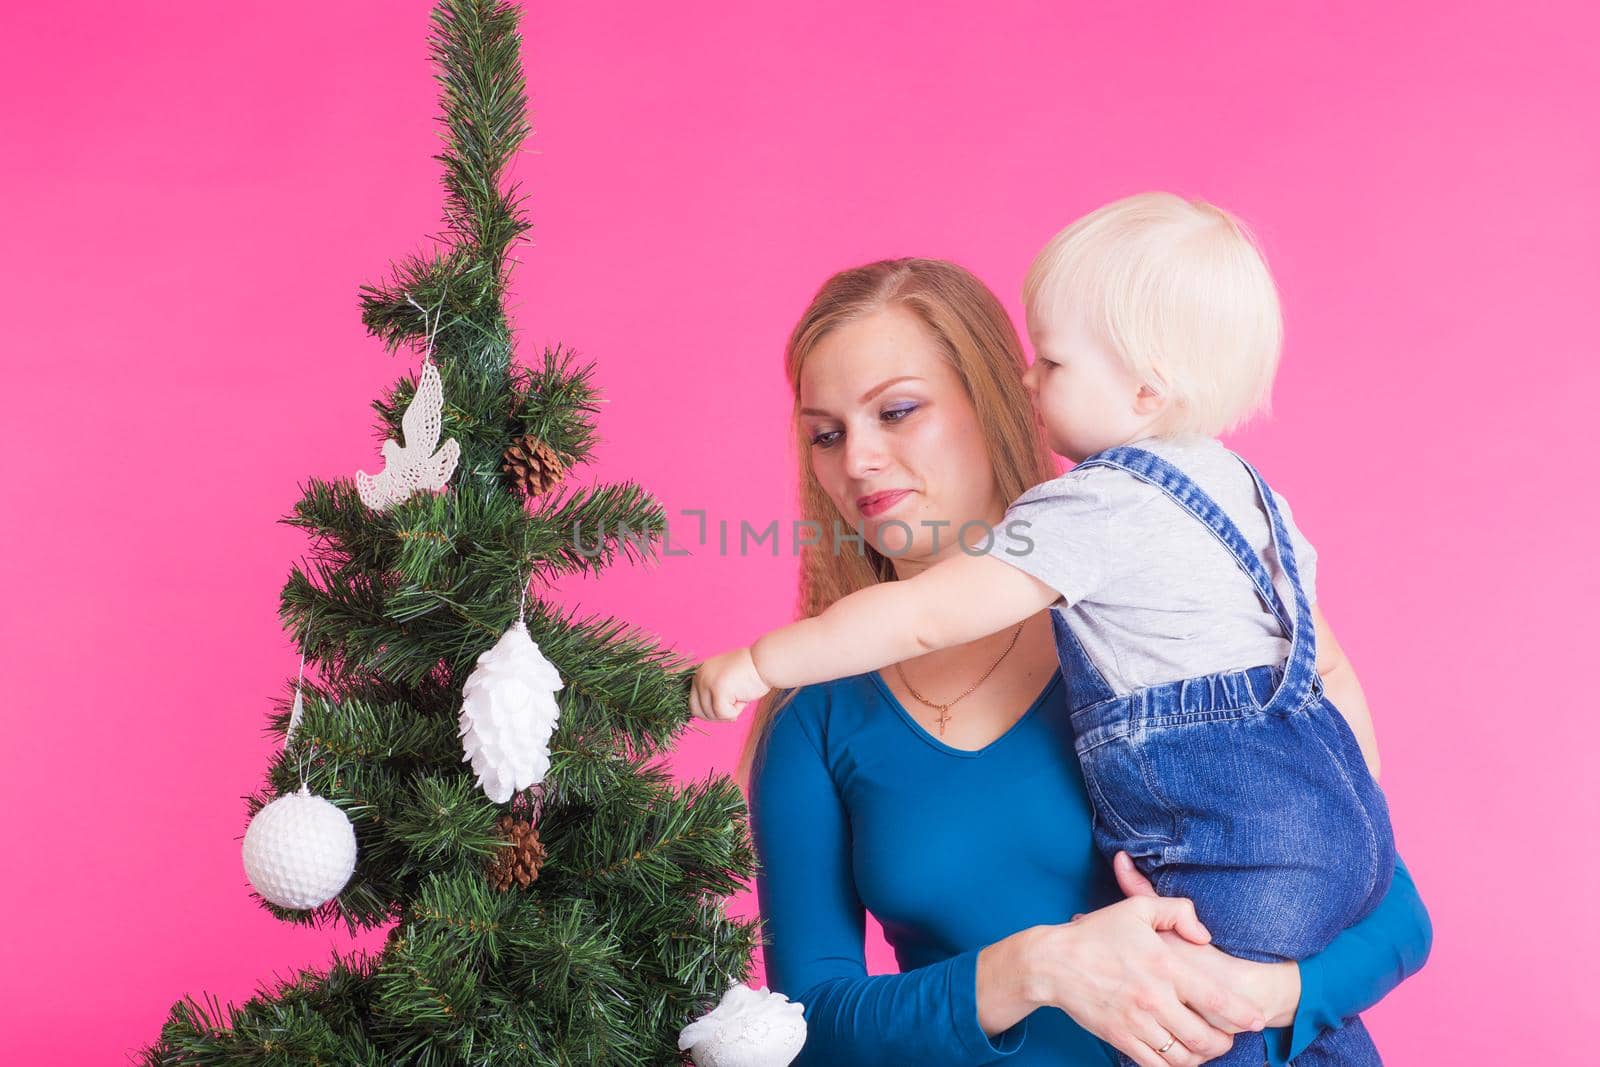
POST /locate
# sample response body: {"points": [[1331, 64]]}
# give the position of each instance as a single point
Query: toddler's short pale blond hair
{"points": [[1182, 294]]}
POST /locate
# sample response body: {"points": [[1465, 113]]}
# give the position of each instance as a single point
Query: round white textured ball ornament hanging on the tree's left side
{"points": [[300, 850]]}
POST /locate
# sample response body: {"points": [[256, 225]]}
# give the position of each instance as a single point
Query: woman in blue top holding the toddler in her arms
{"points": [[945, 796]]}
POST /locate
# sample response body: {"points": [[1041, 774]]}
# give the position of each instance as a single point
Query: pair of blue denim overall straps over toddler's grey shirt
{"points": [[1183, 490]]}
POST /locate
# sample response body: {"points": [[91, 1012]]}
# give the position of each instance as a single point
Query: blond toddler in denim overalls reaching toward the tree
{"points": [[1223, 737]]}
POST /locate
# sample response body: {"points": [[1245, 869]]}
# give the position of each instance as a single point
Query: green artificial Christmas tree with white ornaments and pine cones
{"points": [[575, 921]]}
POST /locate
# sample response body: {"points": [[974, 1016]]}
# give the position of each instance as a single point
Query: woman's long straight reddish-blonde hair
{"points": [[972, 330]]}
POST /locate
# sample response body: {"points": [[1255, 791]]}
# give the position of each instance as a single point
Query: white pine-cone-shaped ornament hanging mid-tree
{"points": [[508, 716]]}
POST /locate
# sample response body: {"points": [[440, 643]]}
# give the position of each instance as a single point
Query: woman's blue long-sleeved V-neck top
{"points": [[855, 807]]}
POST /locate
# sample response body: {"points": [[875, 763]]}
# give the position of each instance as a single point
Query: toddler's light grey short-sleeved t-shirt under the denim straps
{"points": [[1148, 589]]}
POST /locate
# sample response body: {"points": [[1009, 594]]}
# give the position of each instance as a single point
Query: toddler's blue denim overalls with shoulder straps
{"points": [[1244, 791]]}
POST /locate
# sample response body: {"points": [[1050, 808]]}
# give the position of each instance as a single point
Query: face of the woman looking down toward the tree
{"points": [[884, 414]]}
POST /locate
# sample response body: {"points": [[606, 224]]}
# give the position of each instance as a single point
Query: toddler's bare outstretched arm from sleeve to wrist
{"points": [[954, 602]]}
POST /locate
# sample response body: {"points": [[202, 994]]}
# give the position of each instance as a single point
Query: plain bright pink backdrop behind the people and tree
{"points": [[196, 191]]}
